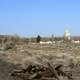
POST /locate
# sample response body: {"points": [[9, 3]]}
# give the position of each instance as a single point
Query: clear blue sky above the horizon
{"points": [[43, 17]]}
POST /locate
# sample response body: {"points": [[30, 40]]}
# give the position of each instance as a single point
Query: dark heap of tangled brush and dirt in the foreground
{"points": [[42, 72]]}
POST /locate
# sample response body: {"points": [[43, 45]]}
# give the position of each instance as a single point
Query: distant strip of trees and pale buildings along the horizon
{"points": [[42, 40]]}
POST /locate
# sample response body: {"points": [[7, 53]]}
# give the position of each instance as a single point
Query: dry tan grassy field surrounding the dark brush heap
{"points": [[22, 55]]}
